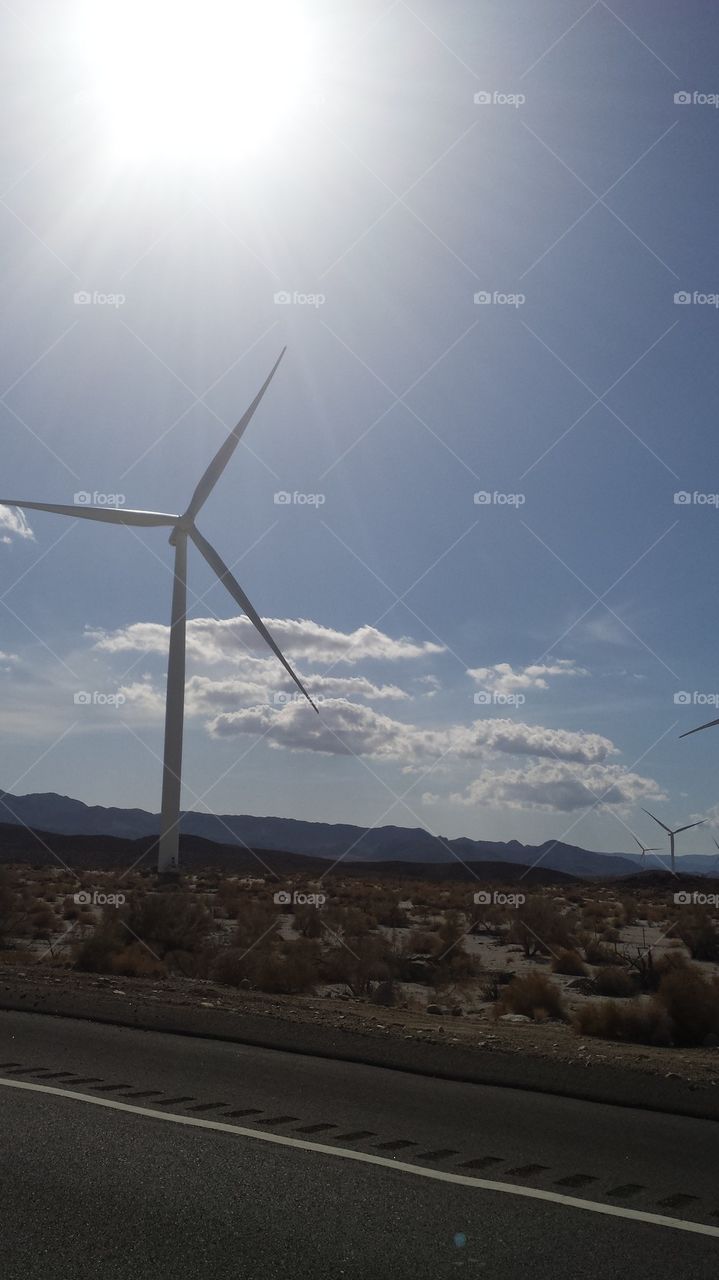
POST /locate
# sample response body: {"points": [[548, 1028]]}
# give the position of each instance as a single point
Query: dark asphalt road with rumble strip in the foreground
{"points": [[100, 1185]]}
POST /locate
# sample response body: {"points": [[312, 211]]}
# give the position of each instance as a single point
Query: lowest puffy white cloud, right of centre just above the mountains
{"points": [[560, 788]]}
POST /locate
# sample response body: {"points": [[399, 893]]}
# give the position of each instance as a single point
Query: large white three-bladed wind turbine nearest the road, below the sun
{"points": [[182, 528]]}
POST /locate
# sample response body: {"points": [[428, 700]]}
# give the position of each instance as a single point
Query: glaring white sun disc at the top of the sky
{"points": [[196, 80]]}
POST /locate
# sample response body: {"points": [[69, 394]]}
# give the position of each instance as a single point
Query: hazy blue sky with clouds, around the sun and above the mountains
{"points": [[500, 669]]}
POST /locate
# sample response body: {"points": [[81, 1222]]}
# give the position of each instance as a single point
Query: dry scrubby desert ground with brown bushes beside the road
{"points": [[598, 972]]}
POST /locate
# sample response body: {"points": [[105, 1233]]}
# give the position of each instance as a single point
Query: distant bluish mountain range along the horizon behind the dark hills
{"points": [[48, 812]]}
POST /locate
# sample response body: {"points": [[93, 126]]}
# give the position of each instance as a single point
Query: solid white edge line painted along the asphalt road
{"points": [[438, 1176]]}
